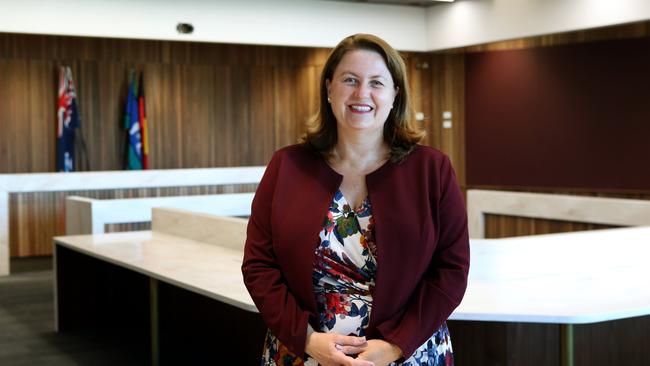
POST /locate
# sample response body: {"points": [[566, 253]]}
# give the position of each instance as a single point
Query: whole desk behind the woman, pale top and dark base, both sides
{"points": [[186, 300]]}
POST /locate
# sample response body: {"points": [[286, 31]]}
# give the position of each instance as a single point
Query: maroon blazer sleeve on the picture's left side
{"points": [[262, 274]]}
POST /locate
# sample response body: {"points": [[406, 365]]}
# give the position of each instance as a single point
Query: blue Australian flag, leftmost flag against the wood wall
{"points": [[68, 120]]}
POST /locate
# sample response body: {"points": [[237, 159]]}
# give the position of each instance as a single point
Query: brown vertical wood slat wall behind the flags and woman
{"points": [[214, 104]]}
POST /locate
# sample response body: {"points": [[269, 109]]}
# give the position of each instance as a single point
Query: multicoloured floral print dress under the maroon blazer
{"points": [[344, 278]]}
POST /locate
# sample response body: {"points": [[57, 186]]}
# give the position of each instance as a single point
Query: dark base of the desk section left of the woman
{"points": [[168, 324]]}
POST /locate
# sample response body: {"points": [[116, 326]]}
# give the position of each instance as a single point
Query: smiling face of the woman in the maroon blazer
{"points": [[361, 92]]}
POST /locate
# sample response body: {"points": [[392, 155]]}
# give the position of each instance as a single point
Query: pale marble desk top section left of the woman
{"points": [[204, 268]]}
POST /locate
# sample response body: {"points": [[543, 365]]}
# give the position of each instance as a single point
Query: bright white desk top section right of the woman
{"points": [[572, 278]]}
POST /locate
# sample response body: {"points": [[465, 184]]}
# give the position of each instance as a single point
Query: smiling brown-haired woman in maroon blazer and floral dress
{"points": [[357, 248]]}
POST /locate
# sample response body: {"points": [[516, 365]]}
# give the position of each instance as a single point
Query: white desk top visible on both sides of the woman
{"points": [[572, 278]]}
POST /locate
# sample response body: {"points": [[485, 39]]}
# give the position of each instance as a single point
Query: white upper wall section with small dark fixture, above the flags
{"points": [[273, 22]]}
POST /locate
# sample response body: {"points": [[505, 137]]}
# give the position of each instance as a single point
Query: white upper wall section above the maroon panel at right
{"points": [[469, 22]]}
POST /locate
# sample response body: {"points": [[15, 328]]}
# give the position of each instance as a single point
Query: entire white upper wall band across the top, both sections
{"points": [[317, 23]]}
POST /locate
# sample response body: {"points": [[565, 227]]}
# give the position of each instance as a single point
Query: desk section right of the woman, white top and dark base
{"points": [[577, 298]]}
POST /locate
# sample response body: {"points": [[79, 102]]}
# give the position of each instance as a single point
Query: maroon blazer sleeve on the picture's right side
{"points": [[443, 285]]}
